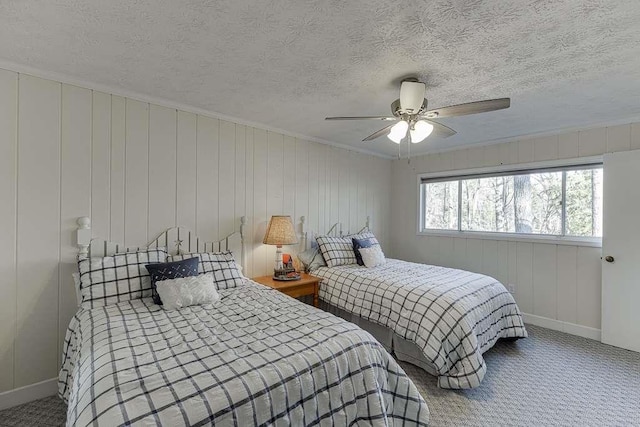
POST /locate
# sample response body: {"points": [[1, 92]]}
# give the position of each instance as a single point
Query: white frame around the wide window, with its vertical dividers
{"points": [[579, 163]]}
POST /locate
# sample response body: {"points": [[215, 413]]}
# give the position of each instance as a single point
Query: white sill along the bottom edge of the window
{"points": [[529, 238]]}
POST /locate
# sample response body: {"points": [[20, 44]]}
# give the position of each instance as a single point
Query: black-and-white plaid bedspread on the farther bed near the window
{"points": [[452, 315]]}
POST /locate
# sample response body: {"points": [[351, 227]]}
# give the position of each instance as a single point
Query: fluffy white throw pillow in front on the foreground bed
{"points": [[186, 291]]}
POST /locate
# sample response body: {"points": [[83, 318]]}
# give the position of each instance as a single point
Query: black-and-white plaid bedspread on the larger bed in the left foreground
{"points": [[257, 357]]}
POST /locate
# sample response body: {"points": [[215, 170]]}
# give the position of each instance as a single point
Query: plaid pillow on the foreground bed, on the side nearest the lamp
{"points": [[222, 264]]}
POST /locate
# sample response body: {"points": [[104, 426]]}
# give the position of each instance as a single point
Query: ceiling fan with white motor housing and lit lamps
{"points": [[411, 115]]}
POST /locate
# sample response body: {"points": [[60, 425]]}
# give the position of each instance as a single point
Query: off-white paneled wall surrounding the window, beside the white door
{"points": [[556, 282]]}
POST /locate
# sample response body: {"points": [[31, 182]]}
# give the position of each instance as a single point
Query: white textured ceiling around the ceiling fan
{"points": [[288, 64]]}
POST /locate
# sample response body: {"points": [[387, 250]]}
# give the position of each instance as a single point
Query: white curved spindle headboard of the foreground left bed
{"points": [[177, 240]]}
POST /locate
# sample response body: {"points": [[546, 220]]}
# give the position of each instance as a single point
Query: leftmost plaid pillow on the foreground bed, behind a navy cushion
{"points": [[119, 277]]}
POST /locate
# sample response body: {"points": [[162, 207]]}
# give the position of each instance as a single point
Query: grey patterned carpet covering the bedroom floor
{"points": [[549, 379]]}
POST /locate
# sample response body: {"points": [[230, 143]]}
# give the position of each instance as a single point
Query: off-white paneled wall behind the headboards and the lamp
{"points": [[136, 169]]}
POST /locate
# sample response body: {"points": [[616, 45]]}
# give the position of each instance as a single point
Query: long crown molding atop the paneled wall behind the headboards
{"points": [[118, 91]]}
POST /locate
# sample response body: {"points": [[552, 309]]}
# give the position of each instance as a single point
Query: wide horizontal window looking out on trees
{"points": [[561, 201]]}
